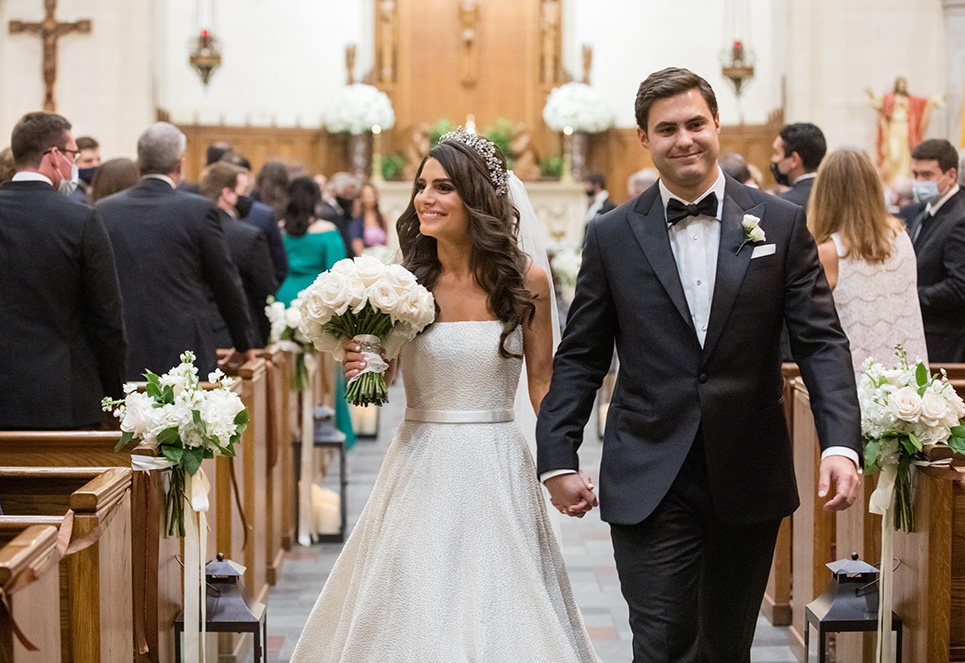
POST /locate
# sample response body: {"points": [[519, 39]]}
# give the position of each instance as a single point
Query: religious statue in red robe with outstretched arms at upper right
{"points": [[902, 121]]}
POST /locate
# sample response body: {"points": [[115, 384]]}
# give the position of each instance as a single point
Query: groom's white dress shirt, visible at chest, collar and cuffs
{"points": [[695, 241]]}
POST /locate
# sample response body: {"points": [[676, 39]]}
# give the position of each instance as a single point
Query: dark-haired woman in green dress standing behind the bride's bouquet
{"points": [[313, 246]]}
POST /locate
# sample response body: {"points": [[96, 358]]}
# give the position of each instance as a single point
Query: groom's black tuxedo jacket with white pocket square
{"points": [[669, 388]]}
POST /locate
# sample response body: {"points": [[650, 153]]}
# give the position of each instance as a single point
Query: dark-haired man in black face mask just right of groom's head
{"points": [[797, 153]]}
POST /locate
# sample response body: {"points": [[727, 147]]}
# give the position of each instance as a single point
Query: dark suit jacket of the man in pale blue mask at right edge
{"points": [[940, 249]]}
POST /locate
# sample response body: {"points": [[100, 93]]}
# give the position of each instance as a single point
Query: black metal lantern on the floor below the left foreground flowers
{"points": [[229, 608]]}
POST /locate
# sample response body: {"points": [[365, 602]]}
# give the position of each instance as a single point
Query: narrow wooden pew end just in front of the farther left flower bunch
{"points": [[280, 470]]}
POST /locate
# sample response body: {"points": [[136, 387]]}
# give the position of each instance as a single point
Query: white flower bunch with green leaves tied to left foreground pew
{"points": [[183, 423]]}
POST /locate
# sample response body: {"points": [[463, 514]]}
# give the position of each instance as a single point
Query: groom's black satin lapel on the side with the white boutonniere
{"points": [[732, 262]]}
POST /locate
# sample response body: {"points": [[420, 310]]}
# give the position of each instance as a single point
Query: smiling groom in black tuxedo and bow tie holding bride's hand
{"points": [[697, 467]]}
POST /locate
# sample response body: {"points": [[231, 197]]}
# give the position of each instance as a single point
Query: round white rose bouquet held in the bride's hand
{"points": [[379, 306]]}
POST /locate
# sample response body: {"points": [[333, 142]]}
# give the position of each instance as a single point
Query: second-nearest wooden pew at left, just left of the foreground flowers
{"points": [[92, 506]]}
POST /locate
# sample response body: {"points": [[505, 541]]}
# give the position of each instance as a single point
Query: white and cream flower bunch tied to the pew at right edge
{"points": [[903, 409]]}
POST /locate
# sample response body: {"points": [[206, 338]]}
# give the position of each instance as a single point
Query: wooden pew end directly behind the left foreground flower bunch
{"points": [[241, 530]]}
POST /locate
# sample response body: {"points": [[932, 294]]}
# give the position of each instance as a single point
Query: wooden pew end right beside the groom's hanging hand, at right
{"points": [[813, 527]]}
